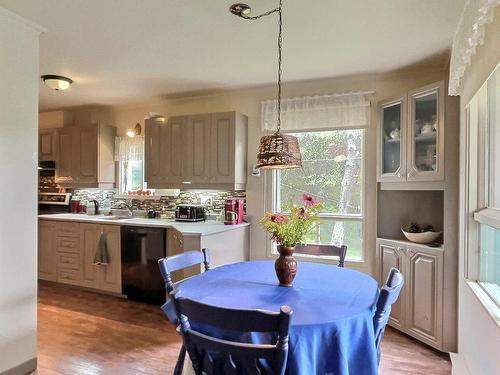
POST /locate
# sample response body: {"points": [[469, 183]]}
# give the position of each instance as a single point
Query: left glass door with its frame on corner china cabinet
{"points": [[392, 164]]}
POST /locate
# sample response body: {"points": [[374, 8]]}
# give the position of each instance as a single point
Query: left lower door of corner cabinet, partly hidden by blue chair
{"points": [[391, 255]]}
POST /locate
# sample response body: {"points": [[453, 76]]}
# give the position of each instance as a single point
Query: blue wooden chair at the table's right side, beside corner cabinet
{"points": [[389, 294]]}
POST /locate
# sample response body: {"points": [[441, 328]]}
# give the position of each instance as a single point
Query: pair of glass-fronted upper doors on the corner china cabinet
{"points": [[411, 136]]}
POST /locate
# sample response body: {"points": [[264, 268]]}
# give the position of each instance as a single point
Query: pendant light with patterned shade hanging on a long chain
{"points": [[278, 150]]}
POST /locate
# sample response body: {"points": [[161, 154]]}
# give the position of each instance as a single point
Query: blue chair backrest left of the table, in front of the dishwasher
{"points": [[177, 262]]}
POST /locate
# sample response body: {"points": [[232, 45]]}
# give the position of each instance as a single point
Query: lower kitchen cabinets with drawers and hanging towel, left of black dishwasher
{"points": [[66, 253]]}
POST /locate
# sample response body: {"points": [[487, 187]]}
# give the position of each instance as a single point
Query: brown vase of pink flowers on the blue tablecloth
{"points": [[288, 229]]}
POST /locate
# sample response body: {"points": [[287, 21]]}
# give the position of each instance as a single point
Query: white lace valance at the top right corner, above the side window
{"points": [[469, 34]]}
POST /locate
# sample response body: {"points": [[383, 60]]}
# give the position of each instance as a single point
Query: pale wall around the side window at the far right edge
{"points": [[478, 334]]}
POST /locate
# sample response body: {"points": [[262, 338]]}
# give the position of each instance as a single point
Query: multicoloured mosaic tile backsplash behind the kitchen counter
{"points": [[212, 200]]}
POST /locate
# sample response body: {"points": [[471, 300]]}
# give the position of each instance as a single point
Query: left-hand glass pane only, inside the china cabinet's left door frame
{"points": [[391, 150]]}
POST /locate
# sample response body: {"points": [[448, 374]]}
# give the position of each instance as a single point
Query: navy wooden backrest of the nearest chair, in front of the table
{"points": [[212, 355]]}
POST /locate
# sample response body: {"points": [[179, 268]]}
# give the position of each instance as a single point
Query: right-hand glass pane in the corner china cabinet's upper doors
{"points": [[425, 128]]}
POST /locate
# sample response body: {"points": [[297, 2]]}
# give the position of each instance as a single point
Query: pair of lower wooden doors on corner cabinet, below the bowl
{"points": [[419, 310]]}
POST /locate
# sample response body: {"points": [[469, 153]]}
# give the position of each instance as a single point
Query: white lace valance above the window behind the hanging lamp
{"points": [[350, 110]]}
